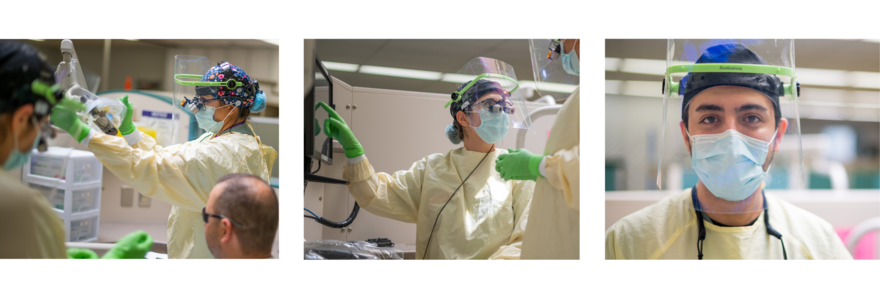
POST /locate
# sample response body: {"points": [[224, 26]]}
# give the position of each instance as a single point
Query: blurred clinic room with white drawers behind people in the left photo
{"points": [[96, 207]]}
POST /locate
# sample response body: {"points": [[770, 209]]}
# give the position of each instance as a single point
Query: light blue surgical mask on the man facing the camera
{"points": [[730, 164]]}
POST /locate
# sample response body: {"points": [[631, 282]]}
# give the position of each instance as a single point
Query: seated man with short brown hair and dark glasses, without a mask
{"points": [[241, 217]]}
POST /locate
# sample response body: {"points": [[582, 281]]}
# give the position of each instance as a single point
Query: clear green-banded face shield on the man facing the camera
{"points": [[722, 100]]}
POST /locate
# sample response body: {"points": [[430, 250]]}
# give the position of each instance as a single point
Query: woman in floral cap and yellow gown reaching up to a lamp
{"points": [[184, 174]]}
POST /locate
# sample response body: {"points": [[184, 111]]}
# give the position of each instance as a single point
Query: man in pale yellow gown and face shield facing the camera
{"points": [[732, 127]]}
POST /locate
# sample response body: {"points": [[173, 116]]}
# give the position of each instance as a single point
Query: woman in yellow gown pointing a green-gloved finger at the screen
{"points": [[462, 208]]}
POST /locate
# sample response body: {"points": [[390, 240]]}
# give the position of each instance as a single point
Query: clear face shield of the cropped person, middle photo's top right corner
{"points": [[550, 76]]}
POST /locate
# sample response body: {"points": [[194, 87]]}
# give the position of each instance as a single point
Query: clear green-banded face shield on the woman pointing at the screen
{"points": [[487, 90]]}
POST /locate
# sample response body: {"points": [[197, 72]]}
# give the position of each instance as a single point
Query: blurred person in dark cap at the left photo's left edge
{"points": [[29, 228]]}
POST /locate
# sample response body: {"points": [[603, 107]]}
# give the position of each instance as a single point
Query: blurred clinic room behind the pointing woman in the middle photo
{"points": [[392, 93]]}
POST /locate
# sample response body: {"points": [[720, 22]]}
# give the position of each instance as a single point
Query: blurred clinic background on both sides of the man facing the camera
{"points": [[840, 125]]}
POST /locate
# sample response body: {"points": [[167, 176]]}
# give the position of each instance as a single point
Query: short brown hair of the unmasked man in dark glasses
{"points": [[245, 200]]}
